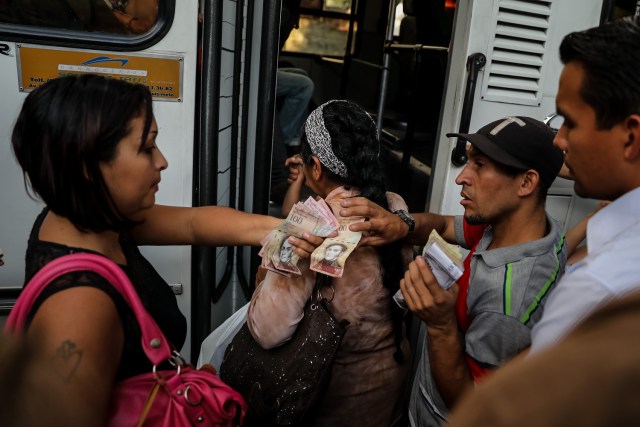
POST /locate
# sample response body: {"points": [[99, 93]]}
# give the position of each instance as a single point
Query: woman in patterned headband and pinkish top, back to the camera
{"points": [[338, 160]]}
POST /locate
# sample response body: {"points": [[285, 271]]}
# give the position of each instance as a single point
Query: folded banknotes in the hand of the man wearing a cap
{"points": [[444, 260]]}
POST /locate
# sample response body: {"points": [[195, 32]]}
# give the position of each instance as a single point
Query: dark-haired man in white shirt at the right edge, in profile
{"points": [[599, 97]]}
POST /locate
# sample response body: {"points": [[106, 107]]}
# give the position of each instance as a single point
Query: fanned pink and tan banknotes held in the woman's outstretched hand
{"points": [[314, 217]]}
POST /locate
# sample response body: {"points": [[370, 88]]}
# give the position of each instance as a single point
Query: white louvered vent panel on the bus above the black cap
{"points": [[514, 64]]}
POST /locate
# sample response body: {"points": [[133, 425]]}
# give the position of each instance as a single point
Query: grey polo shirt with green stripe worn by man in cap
{"points": [[507, 290]]}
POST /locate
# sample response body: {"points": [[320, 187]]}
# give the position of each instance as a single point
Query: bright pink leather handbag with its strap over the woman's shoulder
{"points": [[169, 398]]}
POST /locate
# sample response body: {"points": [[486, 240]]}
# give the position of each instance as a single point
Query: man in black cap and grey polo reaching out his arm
{"points": [[517, 255]]}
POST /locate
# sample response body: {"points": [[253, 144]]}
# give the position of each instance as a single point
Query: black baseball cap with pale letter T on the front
{"points": [[520, 142]]}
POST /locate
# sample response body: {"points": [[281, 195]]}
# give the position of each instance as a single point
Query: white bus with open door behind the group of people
{"points": [[422, 69]]}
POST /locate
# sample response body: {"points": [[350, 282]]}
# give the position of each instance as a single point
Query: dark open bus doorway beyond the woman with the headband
{"points": [[390, 57]]}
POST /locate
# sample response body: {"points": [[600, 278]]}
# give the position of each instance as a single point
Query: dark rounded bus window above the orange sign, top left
{"points": [[122, 24]]}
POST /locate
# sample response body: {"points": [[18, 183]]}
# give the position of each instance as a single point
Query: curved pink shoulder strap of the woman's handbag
{"points": [[154, 343]]}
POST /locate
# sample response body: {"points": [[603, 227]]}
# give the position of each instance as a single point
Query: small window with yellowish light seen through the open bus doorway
{"points": [[323, 28]]}
